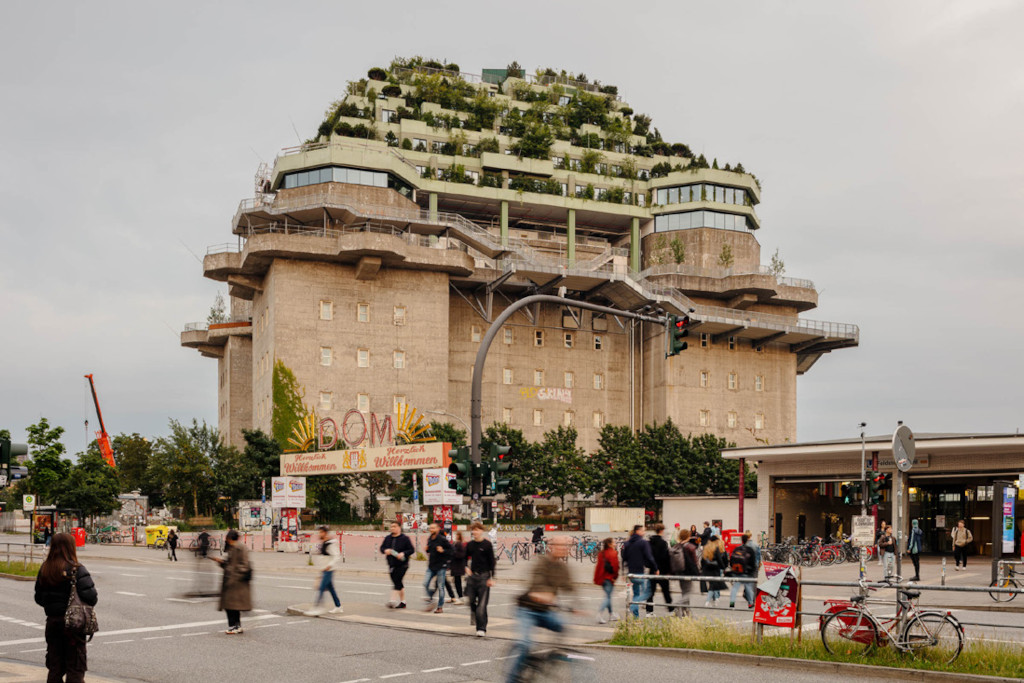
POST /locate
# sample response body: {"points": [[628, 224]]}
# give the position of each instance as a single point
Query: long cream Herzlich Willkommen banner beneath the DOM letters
{"points": [[405, 457]]}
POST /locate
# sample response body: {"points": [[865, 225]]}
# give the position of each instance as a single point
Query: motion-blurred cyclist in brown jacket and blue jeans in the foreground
{"points": [[538, 607]]}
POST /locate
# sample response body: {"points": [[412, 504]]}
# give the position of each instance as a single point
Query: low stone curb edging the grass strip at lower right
{"points": [[806, 665]]}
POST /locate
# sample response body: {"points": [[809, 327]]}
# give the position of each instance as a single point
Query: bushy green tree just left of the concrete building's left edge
{"points": [[183, 463]]}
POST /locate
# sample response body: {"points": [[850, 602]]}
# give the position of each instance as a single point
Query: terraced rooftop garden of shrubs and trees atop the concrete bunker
{"points": [[539, 117]]}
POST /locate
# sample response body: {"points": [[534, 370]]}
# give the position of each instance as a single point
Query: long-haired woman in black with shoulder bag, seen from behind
{"points": [[65, 651]]}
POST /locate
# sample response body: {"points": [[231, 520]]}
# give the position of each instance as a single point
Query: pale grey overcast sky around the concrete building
{"points": [[887, 138]]}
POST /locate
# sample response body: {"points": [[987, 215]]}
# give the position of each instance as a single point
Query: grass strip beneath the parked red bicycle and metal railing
{"points": [[980, 658]]}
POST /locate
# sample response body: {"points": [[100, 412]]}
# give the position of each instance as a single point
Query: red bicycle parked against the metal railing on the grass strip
{"points": [[851, 628]]}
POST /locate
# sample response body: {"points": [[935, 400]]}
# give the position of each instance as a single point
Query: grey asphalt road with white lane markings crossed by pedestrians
{"points": [[152, 633]]}
